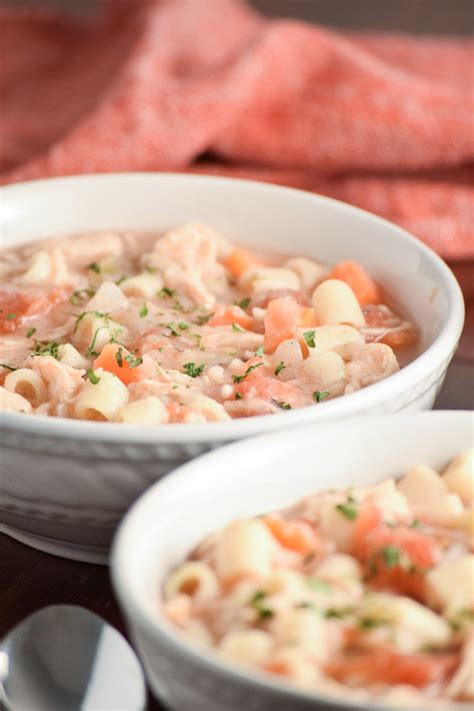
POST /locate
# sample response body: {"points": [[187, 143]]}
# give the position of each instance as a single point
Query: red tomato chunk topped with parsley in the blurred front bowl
{"points": [[372, 537]]}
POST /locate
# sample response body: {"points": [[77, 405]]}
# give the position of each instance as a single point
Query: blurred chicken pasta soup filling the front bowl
{"points": [[366, 593]]}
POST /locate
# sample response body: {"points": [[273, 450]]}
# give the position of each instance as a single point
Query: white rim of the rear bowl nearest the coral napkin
{"points": [[408, 377]]}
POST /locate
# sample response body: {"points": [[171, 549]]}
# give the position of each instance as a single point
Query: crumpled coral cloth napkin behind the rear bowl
{"points": [[382, 121]]}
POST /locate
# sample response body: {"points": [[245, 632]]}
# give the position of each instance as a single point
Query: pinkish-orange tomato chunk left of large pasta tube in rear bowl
{"points": [[283, 319]]}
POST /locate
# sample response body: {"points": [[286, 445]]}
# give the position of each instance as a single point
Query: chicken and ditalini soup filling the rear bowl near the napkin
{"points": [[185, 327]]}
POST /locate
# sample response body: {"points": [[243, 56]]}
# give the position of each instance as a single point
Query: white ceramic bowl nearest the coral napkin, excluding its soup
{"points": [[64, 484]]}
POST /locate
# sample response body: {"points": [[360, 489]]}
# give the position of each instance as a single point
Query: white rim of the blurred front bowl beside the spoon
{"points": [[135, 606]]}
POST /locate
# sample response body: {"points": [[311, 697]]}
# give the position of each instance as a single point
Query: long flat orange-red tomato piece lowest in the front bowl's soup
{"points": [[380, 666]]}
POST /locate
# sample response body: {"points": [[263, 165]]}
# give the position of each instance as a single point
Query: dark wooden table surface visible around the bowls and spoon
{"points": [[30, 580]]}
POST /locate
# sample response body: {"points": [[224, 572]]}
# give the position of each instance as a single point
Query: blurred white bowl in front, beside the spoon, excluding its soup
{"points": [[246, 479]]}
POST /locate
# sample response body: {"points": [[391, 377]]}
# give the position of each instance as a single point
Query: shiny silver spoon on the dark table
{"points": [[65, 658]]}
